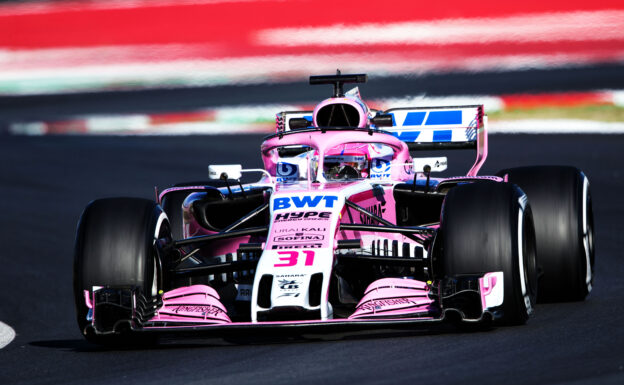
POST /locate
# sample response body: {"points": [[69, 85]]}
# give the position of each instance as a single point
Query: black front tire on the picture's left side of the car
{"points": [[115, 247]]}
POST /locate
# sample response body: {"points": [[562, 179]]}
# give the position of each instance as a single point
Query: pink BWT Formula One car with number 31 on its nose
{"points": [[344, 229]]}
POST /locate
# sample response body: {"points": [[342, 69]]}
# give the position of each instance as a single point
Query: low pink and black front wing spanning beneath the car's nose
{"points": [[387, 304]]}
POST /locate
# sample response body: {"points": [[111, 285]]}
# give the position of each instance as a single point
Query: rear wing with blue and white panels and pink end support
{"points": [[442, 128]]}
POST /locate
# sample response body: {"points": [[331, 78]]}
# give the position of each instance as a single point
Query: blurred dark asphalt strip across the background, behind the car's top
{"points": [[58, 107]]}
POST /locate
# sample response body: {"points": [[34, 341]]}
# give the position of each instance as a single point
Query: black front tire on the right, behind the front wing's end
{"points": [[488, 227]]}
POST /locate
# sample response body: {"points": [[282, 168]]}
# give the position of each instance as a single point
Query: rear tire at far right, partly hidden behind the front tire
{"points": [[564, 227]]}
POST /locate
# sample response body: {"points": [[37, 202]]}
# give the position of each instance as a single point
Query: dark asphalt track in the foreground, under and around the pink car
{"points": [[47, 181]]}
